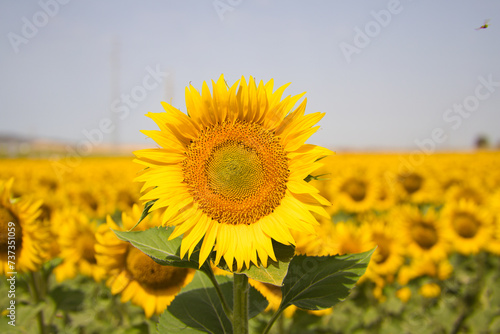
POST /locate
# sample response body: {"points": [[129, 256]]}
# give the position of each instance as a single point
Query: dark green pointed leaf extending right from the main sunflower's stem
{"points": [[318, 282]]}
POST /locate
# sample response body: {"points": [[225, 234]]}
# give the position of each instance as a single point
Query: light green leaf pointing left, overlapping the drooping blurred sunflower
{"points": [[154, 242]]}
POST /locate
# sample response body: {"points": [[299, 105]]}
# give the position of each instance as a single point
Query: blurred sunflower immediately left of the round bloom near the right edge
{"points": [[422, 233]]}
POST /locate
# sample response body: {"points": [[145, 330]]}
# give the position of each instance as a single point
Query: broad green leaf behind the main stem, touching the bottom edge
{"points": [[200, 311]]}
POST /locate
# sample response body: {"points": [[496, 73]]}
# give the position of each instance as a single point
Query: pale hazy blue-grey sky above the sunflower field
{"points": [[388, 74]]}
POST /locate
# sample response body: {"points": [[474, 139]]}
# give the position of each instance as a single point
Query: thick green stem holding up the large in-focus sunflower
{"points": [[241, 291]]}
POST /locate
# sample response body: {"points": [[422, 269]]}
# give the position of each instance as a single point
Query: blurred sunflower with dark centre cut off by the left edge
{"points": [[24, 240]]}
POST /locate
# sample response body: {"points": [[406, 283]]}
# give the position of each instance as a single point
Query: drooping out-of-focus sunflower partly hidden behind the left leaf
{"points": [[134, 274]]}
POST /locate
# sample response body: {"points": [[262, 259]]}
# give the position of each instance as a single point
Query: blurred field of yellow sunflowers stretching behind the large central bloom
{"points": [[435, 220]]}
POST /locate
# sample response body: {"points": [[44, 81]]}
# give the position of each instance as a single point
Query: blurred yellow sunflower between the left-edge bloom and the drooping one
{"points": [[76, 238]]}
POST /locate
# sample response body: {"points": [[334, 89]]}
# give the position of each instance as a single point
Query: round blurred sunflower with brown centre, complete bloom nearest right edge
{"points": [[469, 227]]}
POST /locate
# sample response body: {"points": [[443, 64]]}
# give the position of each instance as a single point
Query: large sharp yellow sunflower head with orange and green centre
{"points": [[231, 172]]}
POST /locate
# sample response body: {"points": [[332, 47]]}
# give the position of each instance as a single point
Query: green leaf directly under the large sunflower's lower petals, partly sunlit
{"points": [[275, 271]]}
